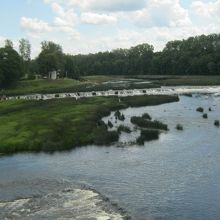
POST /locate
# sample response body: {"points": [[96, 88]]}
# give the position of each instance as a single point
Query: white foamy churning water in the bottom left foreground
{"points": [[66, 204]]}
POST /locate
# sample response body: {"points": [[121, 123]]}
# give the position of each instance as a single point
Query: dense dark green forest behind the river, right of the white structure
{"points": [[195, 56]]}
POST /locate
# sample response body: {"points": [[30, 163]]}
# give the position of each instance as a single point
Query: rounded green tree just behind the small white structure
{"points": [[50, 58]]}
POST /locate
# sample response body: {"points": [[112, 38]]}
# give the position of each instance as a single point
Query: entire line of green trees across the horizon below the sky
{"points": [[198, 55]]}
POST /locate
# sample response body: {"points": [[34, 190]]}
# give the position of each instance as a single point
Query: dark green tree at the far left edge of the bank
{"points": [[10, 66]]}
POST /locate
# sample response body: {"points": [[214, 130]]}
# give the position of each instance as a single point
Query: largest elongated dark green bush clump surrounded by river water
{"points": [[139, 121]]}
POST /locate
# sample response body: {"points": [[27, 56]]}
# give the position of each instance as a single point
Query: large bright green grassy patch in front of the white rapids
{"points": [[63, 123]]}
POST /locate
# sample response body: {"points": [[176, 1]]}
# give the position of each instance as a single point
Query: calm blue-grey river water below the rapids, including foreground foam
{"points": [[175, 177]]}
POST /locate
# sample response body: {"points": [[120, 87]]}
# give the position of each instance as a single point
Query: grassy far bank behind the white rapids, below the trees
{"points": [[85, 84]]}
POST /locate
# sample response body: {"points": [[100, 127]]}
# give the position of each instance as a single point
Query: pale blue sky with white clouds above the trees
{"points": [[87, 26]]}
